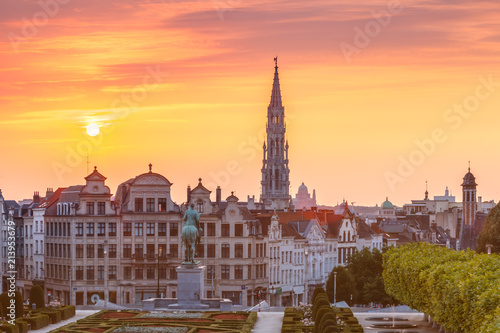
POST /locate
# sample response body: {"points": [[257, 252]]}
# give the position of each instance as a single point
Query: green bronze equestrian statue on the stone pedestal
{"points": [[191, 232]]}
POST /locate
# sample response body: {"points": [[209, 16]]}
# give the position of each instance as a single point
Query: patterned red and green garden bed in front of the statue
{"points": [[131, 321]]}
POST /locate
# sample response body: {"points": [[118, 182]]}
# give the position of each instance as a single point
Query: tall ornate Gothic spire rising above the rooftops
{"points": [[275, 173]]}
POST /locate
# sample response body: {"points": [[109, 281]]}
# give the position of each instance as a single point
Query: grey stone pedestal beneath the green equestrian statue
{"points": [[190, 287]]}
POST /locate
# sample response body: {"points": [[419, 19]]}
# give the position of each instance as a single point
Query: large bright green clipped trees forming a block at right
{"points": [[458, 289]]}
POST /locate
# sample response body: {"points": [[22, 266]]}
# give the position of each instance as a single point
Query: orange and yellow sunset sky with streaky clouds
{"points": [[380, 96]]}
